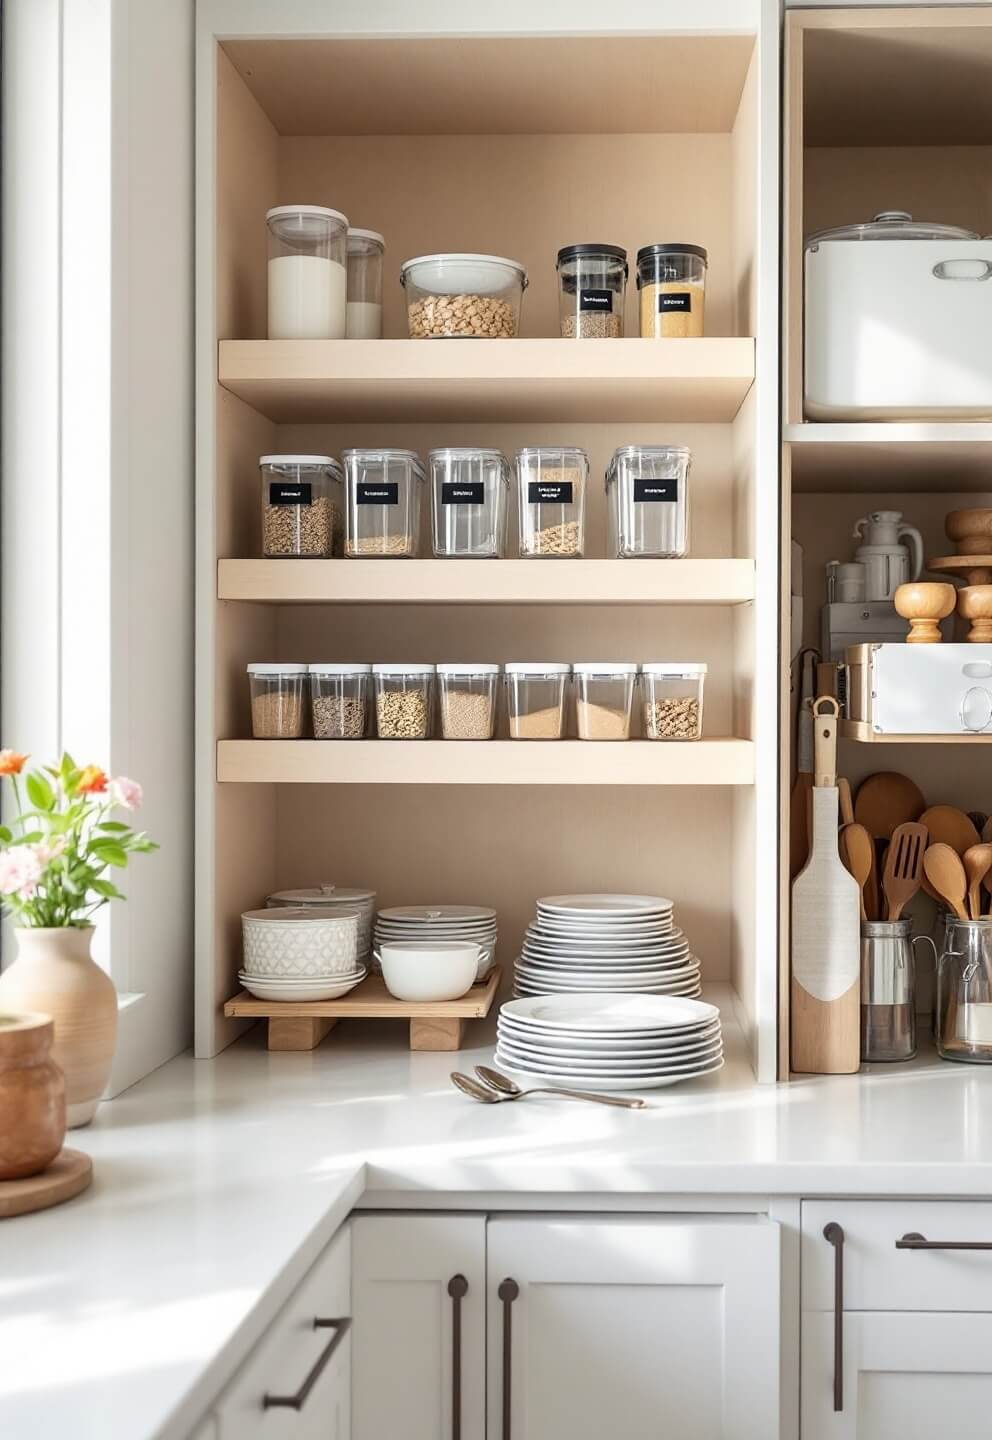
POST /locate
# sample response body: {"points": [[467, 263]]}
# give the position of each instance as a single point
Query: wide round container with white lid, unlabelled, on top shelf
{"points": [[470, 297]]}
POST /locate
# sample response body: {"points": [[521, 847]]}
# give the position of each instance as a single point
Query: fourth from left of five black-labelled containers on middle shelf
{"points": [[552, 487]]}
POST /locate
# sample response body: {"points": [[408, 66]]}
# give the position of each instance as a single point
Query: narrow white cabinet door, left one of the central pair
{"points": [[420, 1351]]}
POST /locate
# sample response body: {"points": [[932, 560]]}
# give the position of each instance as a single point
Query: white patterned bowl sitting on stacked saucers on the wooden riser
{"points": [[302, 954]]}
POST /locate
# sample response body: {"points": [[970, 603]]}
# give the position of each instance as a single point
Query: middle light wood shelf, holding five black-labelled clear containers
{"points": [[480, 582]]}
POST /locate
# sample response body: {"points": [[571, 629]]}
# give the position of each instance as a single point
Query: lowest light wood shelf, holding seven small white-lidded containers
{"points": [[487, 762]]}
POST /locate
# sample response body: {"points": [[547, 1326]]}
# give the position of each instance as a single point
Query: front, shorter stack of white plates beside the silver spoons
{"points": [[610, 1042]]}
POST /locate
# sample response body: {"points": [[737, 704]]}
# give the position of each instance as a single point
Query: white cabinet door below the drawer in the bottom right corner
{"points": [[906, 1377]]}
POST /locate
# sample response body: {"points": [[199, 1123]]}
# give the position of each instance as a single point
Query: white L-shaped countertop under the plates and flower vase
{"points": [[218, 1183]]}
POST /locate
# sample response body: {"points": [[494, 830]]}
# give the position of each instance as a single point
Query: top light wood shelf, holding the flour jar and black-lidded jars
{"points": [[322, 381]]}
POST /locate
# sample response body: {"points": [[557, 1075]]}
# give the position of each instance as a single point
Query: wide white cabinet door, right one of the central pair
{"points": [[634, 1328]]}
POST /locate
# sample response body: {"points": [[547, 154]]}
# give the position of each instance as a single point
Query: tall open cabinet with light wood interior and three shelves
{"points": [[495, 153]]}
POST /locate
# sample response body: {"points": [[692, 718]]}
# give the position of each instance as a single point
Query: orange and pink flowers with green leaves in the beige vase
{"points": [[55, 858]]}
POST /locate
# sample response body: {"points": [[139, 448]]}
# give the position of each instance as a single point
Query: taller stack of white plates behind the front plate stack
{"points": [[607, 942]]}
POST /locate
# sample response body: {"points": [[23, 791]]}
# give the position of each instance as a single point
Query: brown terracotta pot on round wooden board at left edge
{"points": [[32, 1097]]}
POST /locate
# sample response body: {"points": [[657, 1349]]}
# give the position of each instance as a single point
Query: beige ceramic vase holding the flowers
{"points": [[55, 974]]}
